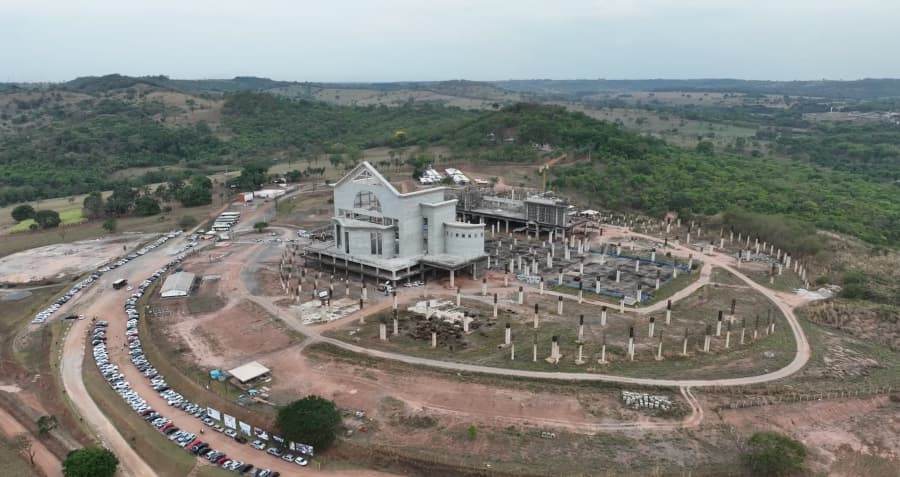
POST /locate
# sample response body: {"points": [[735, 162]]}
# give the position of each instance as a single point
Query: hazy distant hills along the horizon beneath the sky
{"points": [[492, 90]]}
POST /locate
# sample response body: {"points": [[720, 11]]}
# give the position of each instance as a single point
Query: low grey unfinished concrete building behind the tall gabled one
{"points": [[516, 209]]}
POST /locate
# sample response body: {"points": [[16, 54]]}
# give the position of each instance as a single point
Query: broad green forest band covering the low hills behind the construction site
{"points": [[78, 151]]}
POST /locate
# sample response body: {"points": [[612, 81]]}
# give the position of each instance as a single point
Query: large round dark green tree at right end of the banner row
{"points": [[312, 420]]}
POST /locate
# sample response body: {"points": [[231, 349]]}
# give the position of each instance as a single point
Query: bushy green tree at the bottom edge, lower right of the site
{"points": [[770, 453]]}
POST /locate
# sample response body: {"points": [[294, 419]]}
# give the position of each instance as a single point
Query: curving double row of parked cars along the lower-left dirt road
{"points": [[184, 439]]}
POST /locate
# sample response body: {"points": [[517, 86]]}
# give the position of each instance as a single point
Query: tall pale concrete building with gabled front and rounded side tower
{"points": [[381, 232]]}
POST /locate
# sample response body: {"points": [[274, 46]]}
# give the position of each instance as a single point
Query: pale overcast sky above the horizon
{"points": [[394, 40]]}
